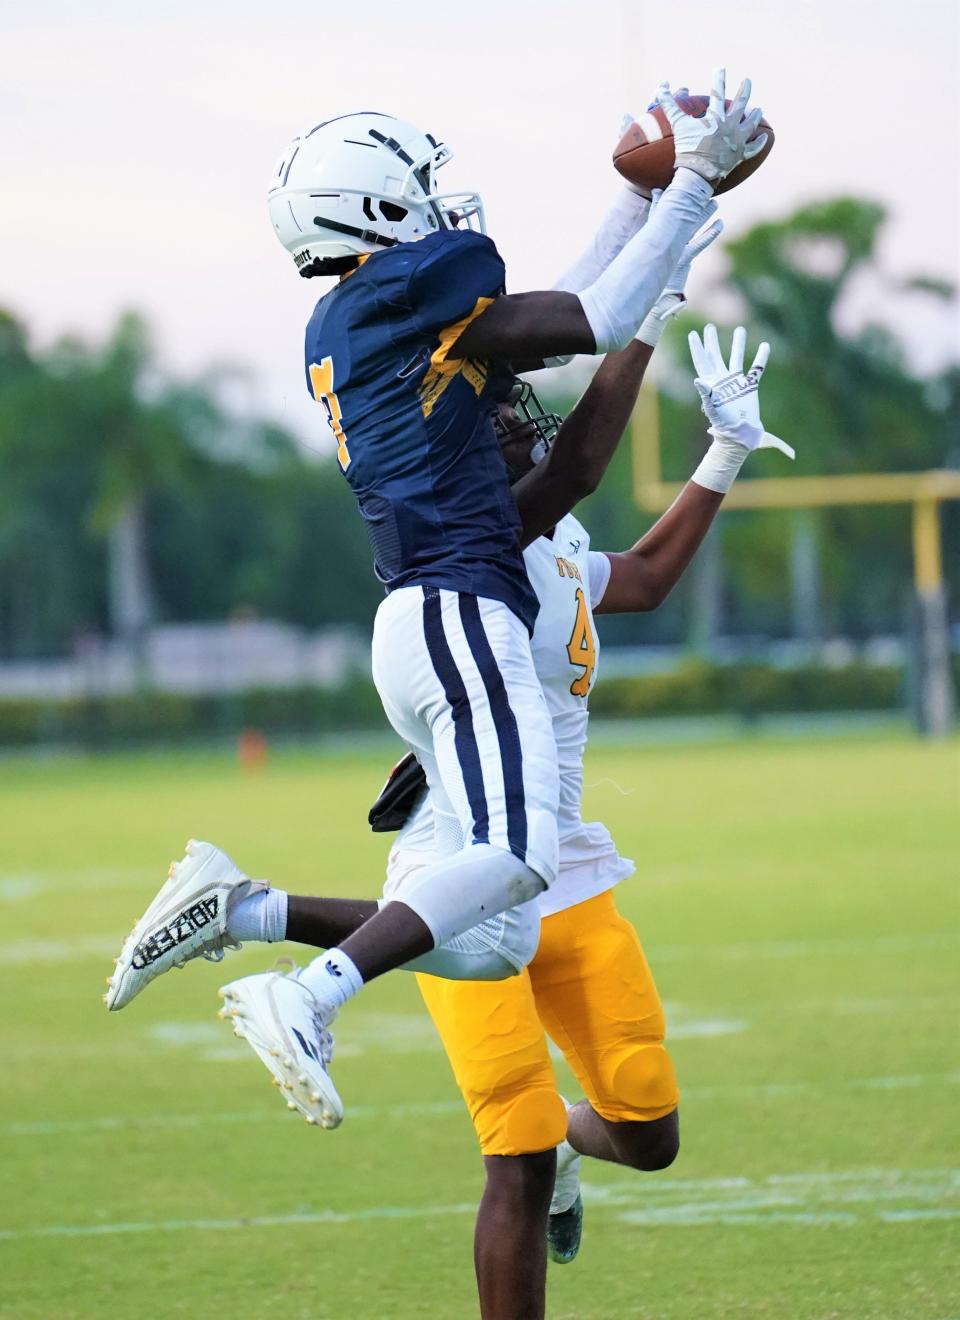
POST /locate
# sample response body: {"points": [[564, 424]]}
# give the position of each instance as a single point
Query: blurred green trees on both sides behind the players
{"points": [[129, 497]]}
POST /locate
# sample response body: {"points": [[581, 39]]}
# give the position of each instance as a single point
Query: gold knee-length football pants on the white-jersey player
{"points": [[591, 989]]}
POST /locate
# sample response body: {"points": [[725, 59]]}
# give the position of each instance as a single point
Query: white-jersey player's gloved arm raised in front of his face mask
{"points": [[588, 439]]}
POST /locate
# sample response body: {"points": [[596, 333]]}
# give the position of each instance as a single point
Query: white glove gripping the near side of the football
{"points": [[720, 141]]}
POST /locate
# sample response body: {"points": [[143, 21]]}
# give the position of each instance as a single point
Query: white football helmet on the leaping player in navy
{"points": [[361, 183]]}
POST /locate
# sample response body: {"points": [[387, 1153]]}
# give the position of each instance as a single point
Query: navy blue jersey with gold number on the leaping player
{"points": [[414, 430]]}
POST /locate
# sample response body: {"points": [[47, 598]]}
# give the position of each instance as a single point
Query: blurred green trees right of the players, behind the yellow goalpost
{"points": [[848, 403]]}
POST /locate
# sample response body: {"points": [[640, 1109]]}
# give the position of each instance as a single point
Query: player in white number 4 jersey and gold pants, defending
{"points": [[580, 971]]}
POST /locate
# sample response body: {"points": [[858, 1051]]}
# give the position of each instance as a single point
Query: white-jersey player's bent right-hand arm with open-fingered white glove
{"points": [[642, 577]]}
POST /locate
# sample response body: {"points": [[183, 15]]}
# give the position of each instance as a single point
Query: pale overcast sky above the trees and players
{"points": [[138, 138]]}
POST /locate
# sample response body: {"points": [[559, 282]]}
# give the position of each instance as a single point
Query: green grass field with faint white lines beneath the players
{"points": [[798, 902]]}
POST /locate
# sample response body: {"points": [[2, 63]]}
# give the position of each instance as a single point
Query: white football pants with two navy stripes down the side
{"points": [[456, 678]]}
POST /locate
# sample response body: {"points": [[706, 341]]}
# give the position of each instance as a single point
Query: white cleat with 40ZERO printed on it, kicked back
{"points": [[188, 919]]}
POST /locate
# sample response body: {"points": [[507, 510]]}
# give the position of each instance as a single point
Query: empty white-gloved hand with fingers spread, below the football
{"points": [[731, 397]]}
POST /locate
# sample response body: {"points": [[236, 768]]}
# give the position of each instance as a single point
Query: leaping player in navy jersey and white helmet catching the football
{"points": [[410, 356]]}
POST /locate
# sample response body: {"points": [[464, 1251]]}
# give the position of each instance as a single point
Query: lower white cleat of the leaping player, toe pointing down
{"points": [[282, 1022]]}
